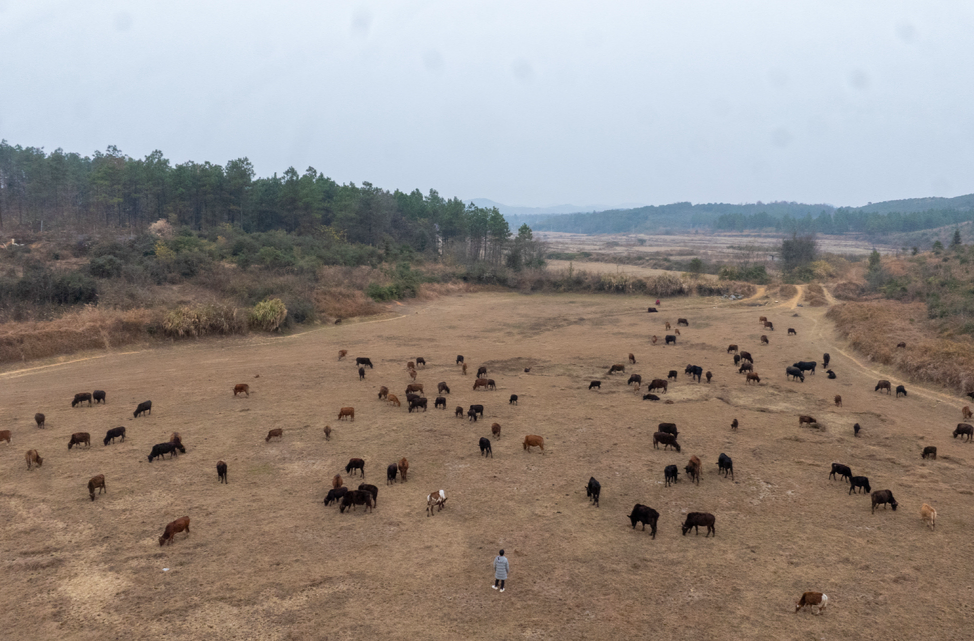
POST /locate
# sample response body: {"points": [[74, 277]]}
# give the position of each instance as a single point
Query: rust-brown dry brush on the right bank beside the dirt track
{"points": [[875, 328]]}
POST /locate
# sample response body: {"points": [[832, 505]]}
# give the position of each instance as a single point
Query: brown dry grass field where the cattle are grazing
{"points": [[266, 560]]}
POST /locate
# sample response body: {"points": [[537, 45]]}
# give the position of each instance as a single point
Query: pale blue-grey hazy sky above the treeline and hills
{"points": [[529, 103]]}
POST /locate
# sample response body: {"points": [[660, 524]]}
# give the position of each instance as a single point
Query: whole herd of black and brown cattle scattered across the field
{"points": [[396, 472]]}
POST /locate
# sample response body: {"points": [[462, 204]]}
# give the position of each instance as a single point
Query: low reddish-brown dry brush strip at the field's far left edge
{"points": [[90, 328]]}
